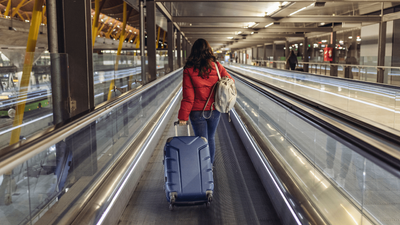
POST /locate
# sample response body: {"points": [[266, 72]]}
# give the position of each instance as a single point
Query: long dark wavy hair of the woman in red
{"points": [[201, 58]]}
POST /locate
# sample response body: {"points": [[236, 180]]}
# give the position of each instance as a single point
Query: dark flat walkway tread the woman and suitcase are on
{"points": [[239, 197]]}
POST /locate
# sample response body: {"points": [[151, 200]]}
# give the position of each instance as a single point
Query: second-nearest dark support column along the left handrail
{"points": [[151, 40]]}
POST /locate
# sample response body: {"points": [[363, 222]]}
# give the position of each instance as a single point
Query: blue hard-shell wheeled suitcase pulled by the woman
{"points": [[187, 170]]}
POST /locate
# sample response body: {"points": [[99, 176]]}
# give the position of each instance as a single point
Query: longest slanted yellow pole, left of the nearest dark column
{"points": [[29, 57]]}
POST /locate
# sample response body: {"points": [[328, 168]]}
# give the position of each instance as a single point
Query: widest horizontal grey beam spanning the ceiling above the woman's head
{"points": [[291, 19]]}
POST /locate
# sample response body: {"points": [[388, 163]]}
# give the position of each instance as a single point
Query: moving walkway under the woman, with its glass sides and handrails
{"points": [[279, 161]]}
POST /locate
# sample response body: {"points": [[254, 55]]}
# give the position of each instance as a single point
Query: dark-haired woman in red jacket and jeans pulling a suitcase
{"points": [[199, 77]]}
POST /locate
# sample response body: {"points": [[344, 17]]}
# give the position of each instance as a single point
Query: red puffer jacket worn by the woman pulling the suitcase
{"points": [[196, 90]]}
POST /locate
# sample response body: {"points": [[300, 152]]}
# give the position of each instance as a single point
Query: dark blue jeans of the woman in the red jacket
{"points": [[206, 127]]}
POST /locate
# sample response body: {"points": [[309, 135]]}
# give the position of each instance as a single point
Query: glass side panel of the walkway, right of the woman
{"points": [[344, 187]]}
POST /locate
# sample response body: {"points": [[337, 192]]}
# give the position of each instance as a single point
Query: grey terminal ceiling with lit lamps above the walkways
{"points": [[239, 24]]}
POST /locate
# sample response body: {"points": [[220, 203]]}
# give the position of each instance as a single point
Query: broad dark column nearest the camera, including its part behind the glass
{"points": [[73, 86]]}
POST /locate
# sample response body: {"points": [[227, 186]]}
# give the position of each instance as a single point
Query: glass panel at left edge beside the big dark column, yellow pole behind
{"points": [[34, 97]]}
